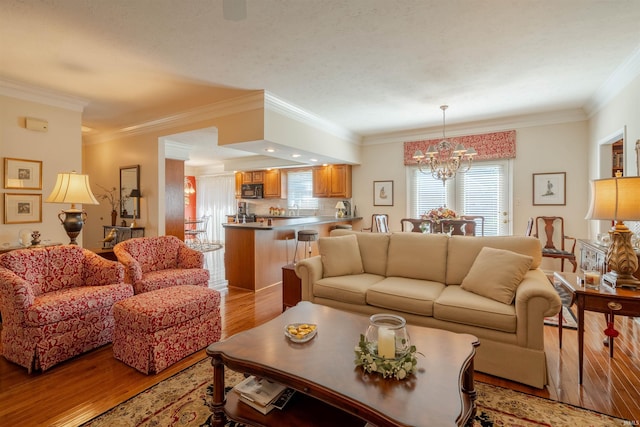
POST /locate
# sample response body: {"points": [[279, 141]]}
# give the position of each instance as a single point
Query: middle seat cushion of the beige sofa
{"points": [[402, 294]]}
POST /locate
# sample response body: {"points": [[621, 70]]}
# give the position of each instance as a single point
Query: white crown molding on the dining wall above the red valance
{"points": [[484, 126]]}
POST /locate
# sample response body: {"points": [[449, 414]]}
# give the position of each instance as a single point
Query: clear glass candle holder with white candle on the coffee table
{"points": [[387, 336]]}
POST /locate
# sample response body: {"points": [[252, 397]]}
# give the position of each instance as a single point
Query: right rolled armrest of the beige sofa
{"points": [[535, 299]]}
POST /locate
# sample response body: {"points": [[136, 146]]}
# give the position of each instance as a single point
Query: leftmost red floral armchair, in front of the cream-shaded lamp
{"points": [[57, 302]]}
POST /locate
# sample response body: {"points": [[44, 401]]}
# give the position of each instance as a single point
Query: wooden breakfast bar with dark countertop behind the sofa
{"points": [[255, 252]]}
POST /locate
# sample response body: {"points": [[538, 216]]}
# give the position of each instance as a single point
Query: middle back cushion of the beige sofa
{"points": [[418, 256]]}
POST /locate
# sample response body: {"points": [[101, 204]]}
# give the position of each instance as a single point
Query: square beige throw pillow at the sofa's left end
{"points": [[340, 256]]}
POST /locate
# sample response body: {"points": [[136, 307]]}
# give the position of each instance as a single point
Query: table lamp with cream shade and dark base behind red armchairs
{"points": [[73, 188]]}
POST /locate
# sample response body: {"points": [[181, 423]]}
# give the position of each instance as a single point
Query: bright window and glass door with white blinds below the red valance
{"points": [[482, 190]]}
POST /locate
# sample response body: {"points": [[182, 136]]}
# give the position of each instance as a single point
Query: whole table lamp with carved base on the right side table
{"points": [[618, 199]]}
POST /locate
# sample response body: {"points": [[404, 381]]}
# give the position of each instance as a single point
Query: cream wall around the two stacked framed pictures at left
{"points": [[59, 149]]}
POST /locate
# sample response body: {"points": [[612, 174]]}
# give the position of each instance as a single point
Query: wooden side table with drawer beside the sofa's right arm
{"points": [[607, 300]]}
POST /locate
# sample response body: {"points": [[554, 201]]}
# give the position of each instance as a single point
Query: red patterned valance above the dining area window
{"points": [[490, 146]]}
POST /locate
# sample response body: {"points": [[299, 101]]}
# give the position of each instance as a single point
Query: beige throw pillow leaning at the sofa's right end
{"points": [[496, 273]]}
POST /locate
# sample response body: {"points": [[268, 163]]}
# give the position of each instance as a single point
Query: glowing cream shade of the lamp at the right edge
{"points": [[615, 199]]}
